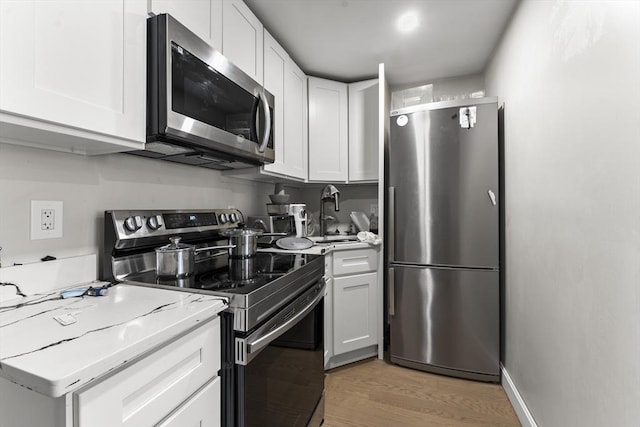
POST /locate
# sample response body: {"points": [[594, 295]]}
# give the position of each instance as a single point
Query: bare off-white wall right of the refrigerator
{"points": [[568, 73]]}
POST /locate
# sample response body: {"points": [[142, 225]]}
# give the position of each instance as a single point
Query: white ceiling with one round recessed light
{"points": [[345, 40]]}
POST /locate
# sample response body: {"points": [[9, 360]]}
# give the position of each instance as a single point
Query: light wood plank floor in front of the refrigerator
{"points": [[376, 393]]}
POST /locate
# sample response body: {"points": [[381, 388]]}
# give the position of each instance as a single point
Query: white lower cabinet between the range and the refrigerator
{"points": [[352, 307]]}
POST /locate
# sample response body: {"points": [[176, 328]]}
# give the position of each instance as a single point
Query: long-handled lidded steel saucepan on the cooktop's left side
{"points": [[177, 260]]}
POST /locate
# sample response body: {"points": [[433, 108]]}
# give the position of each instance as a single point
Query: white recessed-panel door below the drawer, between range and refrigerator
{"points": [[354, 312]]}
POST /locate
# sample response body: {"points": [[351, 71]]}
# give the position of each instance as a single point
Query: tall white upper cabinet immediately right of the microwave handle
{"points": [[284, 79]]}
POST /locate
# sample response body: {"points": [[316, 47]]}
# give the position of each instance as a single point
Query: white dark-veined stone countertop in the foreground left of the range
{"points": [[39, 353]]}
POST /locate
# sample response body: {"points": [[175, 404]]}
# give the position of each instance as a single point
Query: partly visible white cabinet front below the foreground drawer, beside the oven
{"points": [[199, 410]]}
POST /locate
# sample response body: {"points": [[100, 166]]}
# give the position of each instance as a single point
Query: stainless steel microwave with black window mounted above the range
{"points": [[201, 108]]}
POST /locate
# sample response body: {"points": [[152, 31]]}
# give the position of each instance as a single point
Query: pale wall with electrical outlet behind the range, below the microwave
{"points": [[90, 185]]}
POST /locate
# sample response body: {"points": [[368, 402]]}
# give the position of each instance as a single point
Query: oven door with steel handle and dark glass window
{"points": [[280, 372]]}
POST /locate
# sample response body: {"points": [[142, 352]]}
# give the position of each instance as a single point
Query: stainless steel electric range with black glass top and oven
{"points": [[275, 315]]}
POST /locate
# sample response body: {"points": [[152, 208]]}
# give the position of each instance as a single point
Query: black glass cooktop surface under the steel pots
{"points": [[236, 276]]}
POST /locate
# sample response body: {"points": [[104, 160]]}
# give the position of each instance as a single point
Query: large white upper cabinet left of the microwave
{"points": [[73, 74]]}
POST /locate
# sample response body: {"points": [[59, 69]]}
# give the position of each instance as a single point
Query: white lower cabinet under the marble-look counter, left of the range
{"points": [[176, 385]]}
